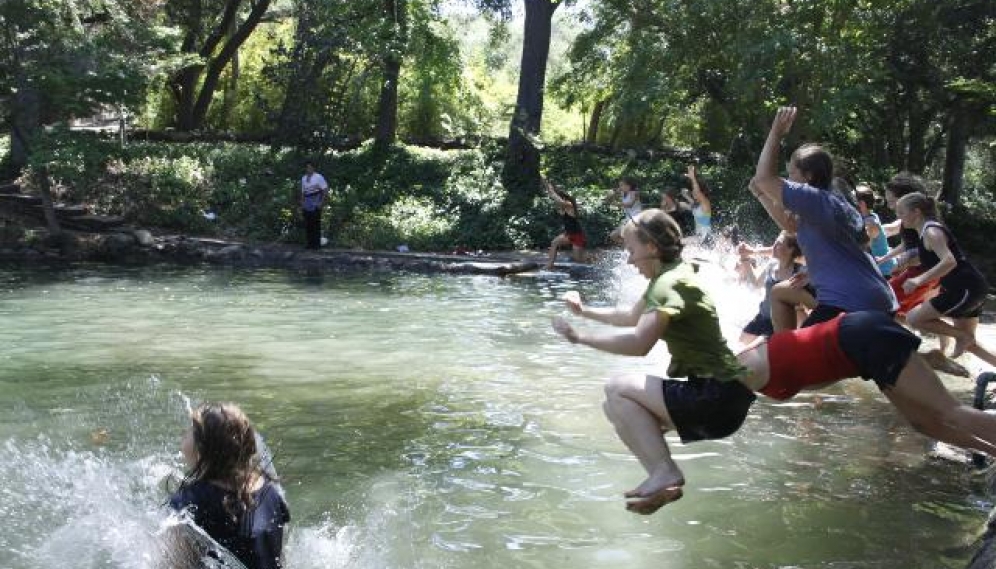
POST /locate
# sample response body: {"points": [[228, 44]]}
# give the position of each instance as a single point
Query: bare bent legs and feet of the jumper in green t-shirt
{"points": [[635, 405]]}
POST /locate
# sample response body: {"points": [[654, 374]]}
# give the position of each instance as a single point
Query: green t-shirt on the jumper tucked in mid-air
{"points": [[692, 334]]}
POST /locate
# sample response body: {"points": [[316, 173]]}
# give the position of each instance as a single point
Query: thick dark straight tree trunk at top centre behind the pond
{"points": [[521, 171]]}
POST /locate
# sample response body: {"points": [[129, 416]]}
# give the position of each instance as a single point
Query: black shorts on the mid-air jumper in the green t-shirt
{"points": [[706, 408]]}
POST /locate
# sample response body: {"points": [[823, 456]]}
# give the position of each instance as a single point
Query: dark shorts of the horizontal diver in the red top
{"points": [[877, 345]]}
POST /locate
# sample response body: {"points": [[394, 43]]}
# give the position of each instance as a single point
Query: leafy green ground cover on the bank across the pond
{"points": [[428, 199]]}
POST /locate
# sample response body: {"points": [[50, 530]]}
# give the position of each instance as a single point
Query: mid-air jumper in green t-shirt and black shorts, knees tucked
{"points": [[674, 309]]}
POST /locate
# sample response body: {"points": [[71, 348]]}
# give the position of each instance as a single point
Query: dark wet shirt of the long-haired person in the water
{"points": [[256, 538]]}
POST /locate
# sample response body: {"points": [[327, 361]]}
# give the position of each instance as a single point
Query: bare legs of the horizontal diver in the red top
{"points": [[921, 397]]}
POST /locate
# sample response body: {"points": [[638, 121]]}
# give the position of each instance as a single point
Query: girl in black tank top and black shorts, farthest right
{"points": [[963, 288]]}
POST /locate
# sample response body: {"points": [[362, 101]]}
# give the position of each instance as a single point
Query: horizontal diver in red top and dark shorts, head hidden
{"points": [[871, 345]]}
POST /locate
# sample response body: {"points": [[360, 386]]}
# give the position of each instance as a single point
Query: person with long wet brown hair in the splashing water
{"points": [[225, 489]]}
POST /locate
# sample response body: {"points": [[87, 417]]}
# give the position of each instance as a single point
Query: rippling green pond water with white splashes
{"points": [[426, 422]]}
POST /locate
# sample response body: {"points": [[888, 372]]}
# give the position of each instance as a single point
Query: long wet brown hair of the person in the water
{"points": [[225, 442]]}
